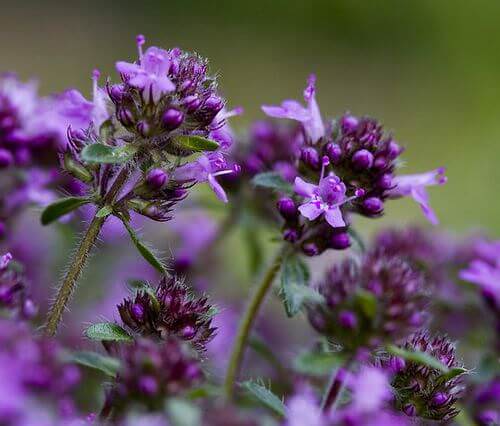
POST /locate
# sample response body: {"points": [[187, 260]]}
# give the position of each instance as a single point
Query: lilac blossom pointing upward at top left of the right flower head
{"points": [[309, 116]]}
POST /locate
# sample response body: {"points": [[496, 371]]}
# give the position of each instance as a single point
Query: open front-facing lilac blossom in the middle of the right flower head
{"points": [[325, 198]]}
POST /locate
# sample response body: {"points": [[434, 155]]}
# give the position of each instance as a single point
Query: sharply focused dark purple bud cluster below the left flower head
{"points": [[170, 310]]}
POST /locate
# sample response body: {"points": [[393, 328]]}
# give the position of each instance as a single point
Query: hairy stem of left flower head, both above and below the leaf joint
{"points": [[80, 259]]}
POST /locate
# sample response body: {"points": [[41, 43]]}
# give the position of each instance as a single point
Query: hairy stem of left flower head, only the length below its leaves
{"points": [[72, 276]]}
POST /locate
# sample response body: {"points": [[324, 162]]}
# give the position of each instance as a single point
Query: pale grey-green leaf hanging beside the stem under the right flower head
{"points": [[294, 284]]}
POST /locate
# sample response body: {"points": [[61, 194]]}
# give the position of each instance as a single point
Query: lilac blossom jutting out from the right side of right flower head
{"points": [[415, 186]]}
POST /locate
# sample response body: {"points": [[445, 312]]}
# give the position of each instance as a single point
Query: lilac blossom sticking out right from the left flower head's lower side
{"points": [[205, 169]]}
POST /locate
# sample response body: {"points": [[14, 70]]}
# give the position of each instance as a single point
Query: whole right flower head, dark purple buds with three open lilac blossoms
{"points": [[343, 167]]}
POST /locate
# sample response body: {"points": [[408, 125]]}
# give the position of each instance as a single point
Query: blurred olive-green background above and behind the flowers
{"points": [[428, 69]]}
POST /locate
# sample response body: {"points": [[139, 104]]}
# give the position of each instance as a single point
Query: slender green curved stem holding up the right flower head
{"points": [[248, 321]]}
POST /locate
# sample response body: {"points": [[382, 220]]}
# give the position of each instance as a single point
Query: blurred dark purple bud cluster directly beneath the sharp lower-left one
{"points": [[151, 371]]}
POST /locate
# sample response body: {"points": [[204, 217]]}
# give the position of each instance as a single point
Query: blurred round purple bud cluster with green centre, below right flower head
{"points": [[367, 304]]}
